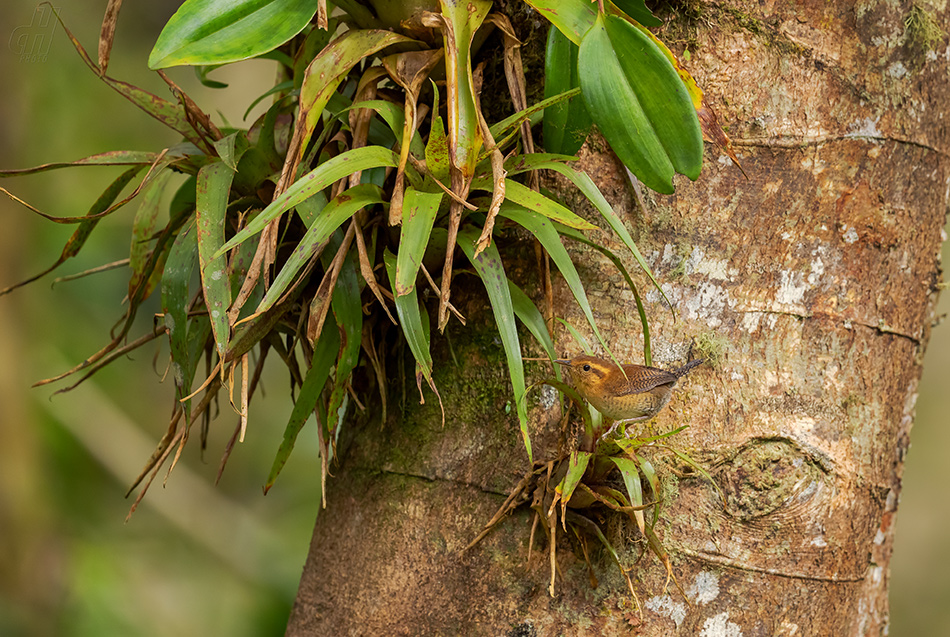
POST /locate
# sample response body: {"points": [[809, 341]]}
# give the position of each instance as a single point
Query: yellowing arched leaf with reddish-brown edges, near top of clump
{"points": [[332, 64]]}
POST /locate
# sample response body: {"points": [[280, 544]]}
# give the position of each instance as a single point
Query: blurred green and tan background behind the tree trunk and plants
{"points": [[197, 559]]}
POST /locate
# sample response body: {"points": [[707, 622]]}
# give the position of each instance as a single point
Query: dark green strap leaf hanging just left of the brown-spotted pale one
{"points": [[175, 299]]}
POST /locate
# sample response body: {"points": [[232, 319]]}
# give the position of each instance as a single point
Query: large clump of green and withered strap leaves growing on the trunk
{"points": [[292, 220]]}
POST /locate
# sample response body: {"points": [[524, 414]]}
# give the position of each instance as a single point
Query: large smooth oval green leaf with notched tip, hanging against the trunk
{"points": [[639, 103]]}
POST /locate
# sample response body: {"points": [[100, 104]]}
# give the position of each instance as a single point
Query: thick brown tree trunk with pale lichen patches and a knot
{"points": [[814, 279]]}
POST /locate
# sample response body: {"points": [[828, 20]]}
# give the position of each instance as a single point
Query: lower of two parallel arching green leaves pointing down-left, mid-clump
{"points": [[340, 208]]}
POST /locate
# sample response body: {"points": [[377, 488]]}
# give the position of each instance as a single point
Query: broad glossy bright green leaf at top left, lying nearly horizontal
{"points": [[221, 31]]}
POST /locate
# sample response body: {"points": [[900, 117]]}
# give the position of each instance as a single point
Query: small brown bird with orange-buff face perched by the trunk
{"points": [[638, 396]]}
